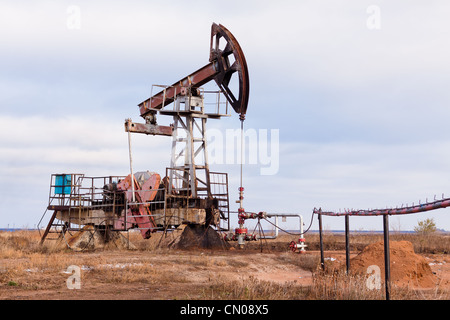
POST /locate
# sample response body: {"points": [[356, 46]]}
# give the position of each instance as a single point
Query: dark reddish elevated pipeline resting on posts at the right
{"points": [[438, 204]]}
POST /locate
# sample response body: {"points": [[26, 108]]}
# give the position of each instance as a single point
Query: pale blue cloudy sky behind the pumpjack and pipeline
{"points": [[353, 96]]}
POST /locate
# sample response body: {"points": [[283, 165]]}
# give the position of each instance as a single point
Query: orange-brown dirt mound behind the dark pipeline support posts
{"points": [[407, 268]]}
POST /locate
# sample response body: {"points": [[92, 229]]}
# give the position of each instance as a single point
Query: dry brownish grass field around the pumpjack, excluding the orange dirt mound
{"points": [[263, 270]]}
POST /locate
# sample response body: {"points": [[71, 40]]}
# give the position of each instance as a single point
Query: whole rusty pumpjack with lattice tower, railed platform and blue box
{"points": [[189, 193]]}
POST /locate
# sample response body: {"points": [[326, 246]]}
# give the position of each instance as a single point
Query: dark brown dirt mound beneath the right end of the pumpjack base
{"points": [[200, 237]]}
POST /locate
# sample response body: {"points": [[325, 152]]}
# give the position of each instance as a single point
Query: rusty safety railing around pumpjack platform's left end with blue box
{"points": [[82, 201]]}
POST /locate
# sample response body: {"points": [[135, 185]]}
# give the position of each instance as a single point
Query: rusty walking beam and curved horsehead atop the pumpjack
{"points": [[219, 69]]}
